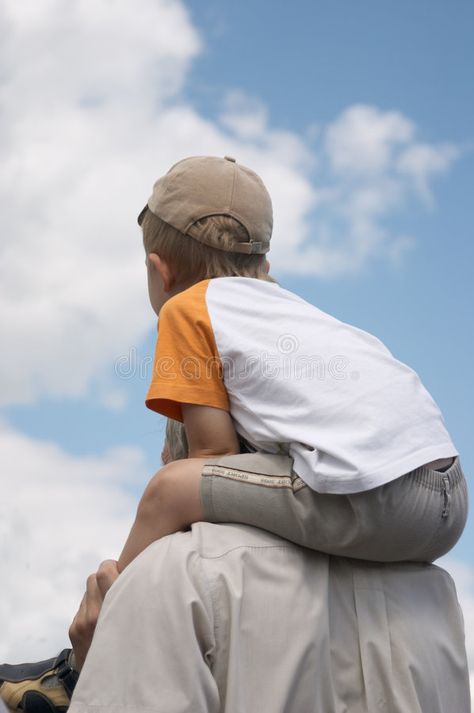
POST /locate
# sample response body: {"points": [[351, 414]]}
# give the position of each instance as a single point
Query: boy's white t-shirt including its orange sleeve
{"points": [[296, 380]]}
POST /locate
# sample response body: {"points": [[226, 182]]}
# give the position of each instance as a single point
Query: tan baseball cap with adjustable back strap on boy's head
{"points": [[201, 186]]}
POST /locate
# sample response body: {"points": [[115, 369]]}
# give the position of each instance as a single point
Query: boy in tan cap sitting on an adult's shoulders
{"points": [[350, 453]]}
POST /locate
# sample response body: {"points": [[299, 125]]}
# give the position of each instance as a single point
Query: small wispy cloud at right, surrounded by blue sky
{"points": [[371, 166]]}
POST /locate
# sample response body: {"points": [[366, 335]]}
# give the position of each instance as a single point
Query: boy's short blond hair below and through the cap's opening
{"points": [[191, 260]]}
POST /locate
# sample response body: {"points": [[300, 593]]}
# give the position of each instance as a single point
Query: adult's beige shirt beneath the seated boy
{"points": [[231, 619]]}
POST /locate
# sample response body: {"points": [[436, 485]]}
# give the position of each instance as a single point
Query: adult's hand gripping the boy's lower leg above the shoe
{"points": [[83, 626]]}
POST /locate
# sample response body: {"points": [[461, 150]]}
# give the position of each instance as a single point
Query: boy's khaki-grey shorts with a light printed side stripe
{"points": [[417, 517]]}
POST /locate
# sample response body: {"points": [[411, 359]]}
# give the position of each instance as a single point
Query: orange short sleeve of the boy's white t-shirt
{"points": [[187, 367]]}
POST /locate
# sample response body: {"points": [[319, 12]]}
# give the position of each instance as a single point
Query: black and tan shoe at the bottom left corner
{"points": [[42, 687]]}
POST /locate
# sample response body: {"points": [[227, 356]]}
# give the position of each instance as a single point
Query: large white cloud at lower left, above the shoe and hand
{"points": [[59, 518]]}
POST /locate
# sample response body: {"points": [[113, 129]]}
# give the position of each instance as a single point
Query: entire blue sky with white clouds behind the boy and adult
{"points": [[358, 116]]}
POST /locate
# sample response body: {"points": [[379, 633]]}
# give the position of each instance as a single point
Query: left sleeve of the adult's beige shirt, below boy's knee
{"points": [[153, 641]]}
